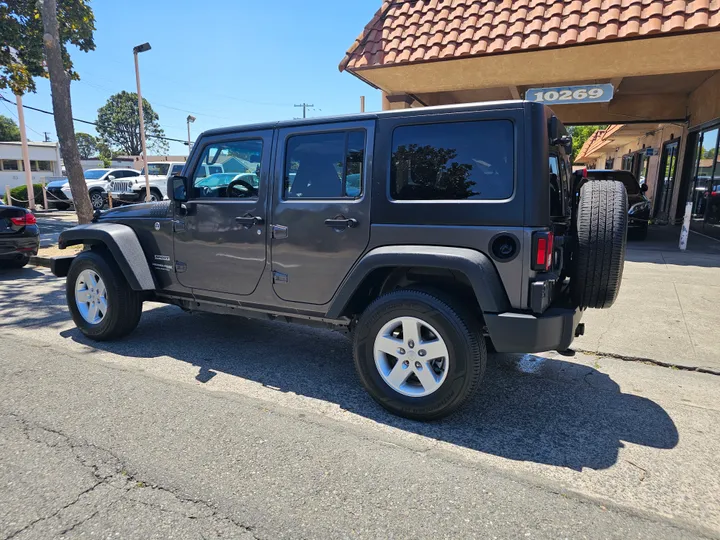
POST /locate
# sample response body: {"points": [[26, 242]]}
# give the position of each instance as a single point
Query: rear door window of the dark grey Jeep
{"points": [[324, 165]]}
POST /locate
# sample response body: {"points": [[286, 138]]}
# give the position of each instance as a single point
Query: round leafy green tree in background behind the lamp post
{"points": [[118, 124]]}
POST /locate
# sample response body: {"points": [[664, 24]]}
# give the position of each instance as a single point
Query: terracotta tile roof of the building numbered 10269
{"points": [[405, 31]]}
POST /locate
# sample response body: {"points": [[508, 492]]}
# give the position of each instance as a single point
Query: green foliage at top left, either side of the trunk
{"points": [[21, 51]]}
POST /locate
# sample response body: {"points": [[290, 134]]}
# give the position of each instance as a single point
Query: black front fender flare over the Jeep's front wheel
{"points": [[122, 243]]}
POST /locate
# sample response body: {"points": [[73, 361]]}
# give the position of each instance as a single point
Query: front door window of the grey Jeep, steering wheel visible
{"points": [[221, 171]]}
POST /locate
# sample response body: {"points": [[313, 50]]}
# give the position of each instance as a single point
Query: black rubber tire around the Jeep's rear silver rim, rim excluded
{"points": [[457, 327]]}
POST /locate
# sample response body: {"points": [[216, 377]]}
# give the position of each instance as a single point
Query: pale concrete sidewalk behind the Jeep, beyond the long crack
{"points": [[667, 310]]}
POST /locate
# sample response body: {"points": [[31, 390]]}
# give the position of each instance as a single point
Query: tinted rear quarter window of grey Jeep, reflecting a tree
{"points": [[451, 161]]}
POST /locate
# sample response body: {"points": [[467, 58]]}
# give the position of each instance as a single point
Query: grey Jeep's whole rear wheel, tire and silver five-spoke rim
{"points": [[419, 355]]}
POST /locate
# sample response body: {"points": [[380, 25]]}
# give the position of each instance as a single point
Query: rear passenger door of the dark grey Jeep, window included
{"points": [[321, 208]]}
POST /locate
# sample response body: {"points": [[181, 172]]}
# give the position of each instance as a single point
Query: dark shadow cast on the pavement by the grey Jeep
{"points": [[550, 411]]}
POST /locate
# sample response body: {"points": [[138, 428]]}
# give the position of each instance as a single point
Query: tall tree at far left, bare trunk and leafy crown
{"points": [[35, 36]]}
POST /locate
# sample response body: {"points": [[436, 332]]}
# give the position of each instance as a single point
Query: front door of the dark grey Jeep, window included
{"points": [[220, 242]]}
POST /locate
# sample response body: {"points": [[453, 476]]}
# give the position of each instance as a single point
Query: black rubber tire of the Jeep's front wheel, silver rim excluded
{"points": [[124, 304]]}
